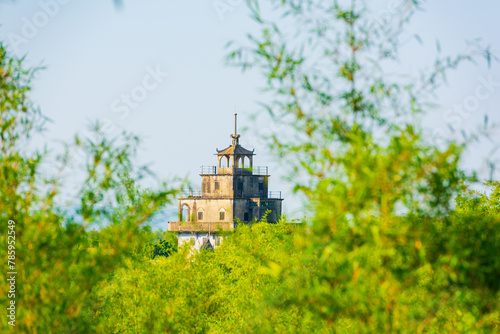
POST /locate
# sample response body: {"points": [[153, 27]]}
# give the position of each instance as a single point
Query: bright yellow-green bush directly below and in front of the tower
{"points": [[217, 292]]}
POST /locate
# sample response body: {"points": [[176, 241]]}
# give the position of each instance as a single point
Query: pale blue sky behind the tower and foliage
{"points": [[94, 54]]}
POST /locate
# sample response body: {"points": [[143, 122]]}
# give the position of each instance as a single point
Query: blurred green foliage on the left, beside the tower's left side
{"points": [[56, 269]]}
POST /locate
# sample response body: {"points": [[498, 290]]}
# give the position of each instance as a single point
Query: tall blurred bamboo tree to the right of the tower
{"points": [[380, 191]]}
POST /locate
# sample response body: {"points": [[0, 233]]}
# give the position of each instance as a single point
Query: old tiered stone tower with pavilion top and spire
{"points": [[232, 191]]}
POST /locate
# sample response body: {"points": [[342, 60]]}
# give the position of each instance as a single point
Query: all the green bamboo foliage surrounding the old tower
{"points": [[397, 242]]}
